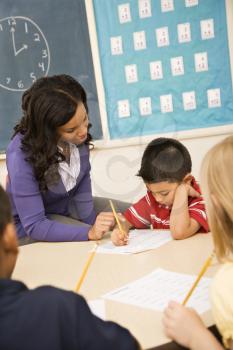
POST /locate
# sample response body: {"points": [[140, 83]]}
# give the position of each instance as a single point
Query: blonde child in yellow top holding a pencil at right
{"points": [[183, 324]]}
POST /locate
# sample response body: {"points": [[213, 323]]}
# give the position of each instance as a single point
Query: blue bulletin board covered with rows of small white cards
{"points": [[165, 65]]}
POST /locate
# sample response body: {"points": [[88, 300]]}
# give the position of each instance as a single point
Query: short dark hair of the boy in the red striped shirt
{"points": [[165, 159]]}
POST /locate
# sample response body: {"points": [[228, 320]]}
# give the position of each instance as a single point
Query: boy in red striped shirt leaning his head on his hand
{"points": [[173, 198]]}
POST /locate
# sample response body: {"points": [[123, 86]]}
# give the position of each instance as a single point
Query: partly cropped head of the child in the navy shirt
{"points": [[8, 240]]}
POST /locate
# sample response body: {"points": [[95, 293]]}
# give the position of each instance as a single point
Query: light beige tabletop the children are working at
{"points": [[60, 264]]}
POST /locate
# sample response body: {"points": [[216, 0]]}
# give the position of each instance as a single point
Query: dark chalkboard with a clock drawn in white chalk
{"points": [[39, 38]]}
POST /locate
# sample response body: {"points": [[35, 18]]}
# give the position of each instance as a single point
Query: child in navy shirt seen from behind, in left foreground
{"points": [[47, 318]]}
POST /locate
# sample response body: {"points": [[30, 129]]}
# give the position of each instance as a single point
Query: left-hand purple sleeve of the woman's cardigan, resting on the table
{"points": [[28, 204]]}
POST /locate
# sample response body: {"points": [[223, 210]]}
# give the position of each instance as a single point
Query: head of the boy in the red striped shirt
{"points": [[166, 163]]}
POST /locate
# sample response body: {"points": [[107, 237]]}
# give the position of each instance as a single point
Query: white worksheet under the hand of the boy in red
{"points": [[139, 241]]}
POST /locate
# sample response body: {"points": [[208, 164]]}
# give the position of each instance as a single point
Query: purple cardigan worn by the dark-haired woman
{"points": [[31, 206]]}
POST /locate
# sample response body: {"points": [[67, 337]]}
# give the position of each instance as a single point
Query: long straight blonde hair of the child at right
{"points": [[217, 187]]}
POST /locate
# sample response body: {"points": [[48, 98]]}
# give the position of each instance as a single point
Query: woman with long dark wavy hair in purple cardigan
{"points": [[48, 166]]}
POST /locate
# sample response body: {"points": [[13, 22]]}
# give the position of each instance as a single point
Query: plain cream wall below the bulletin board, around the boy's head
{"points": [[114, 170]]}
